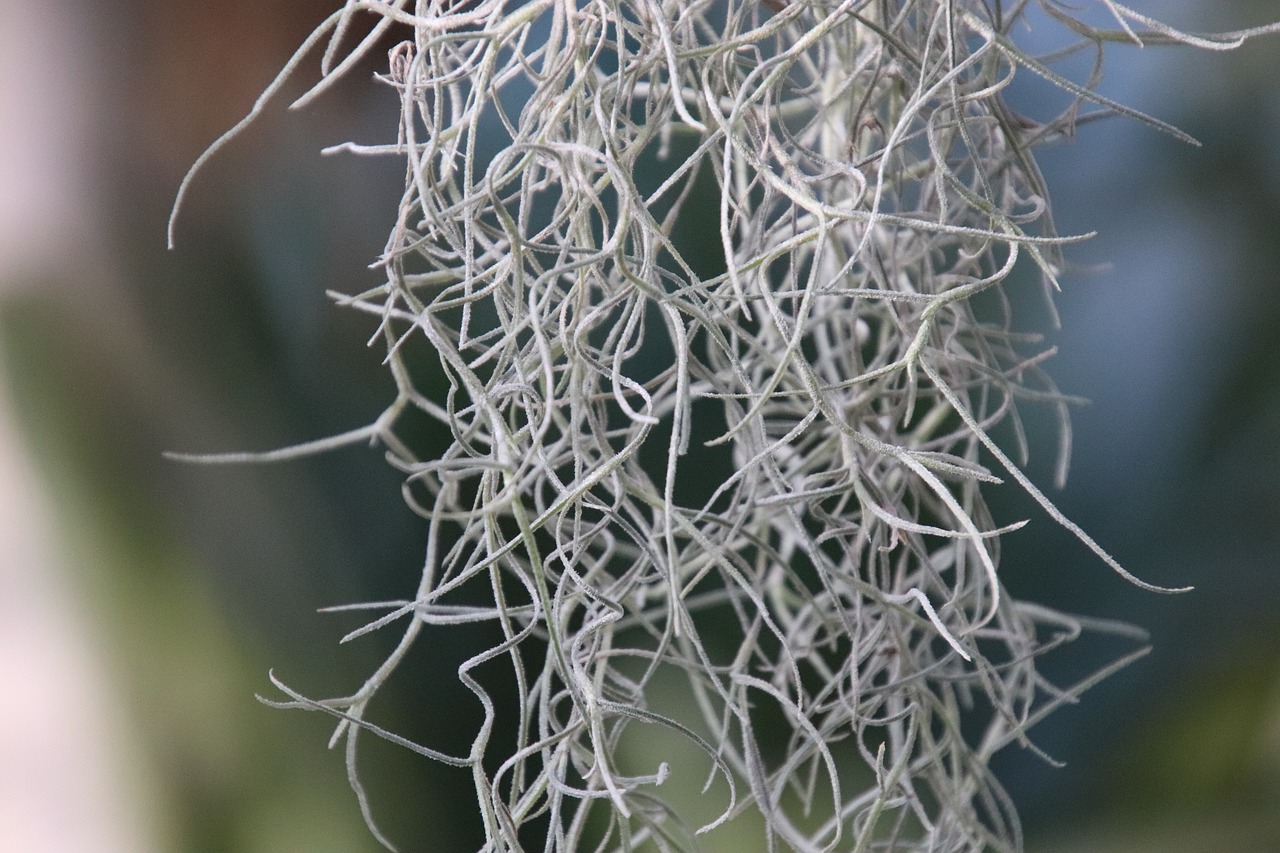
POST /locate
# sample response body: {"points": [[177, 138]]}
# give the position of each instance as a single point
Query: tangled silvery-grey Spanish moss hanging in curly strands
{"points": [[831, 609]]}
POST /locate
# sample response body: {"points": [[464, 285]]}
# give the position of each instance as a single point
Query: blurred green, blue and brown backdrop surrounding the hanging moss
{"points": [[143, 603]]}
